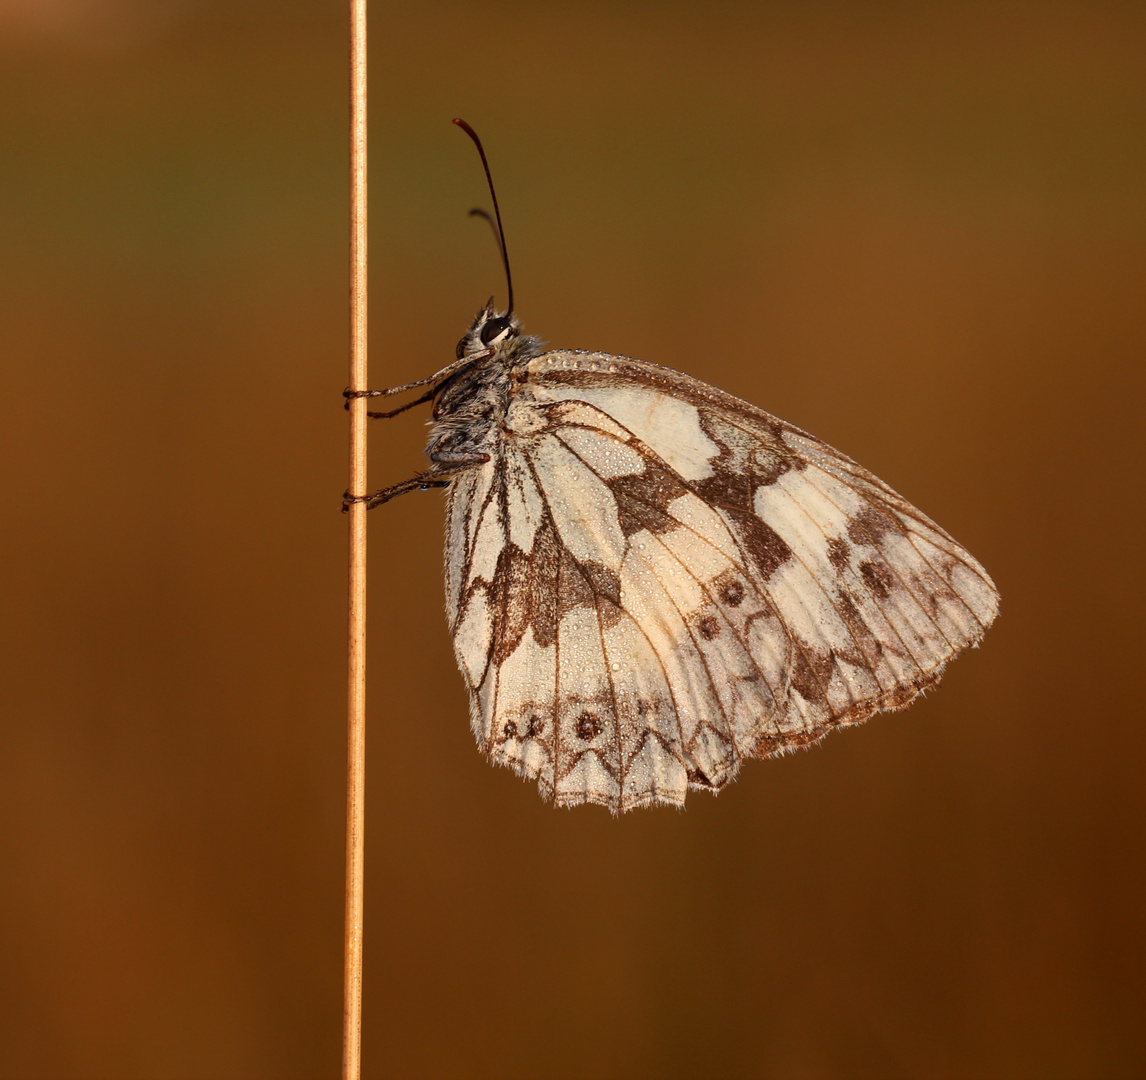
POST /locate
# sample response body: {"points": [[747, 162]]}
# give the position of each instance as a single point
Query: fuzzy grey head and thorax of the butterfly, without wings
{"points": [[475, 398]]}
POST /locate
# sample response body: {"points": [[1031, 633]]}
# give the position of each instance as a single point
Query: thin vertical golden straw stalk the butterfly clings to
{"points": [[357, 512]]}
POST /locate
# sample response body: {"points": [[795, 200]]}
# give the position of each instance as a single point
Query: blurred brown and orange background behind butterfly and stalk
{"points": [[917, 230]]}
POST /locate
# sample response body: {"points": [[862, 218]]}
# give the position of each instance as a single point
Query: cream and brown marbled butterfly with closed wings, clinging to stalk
{"points": [[649, 581]]}
